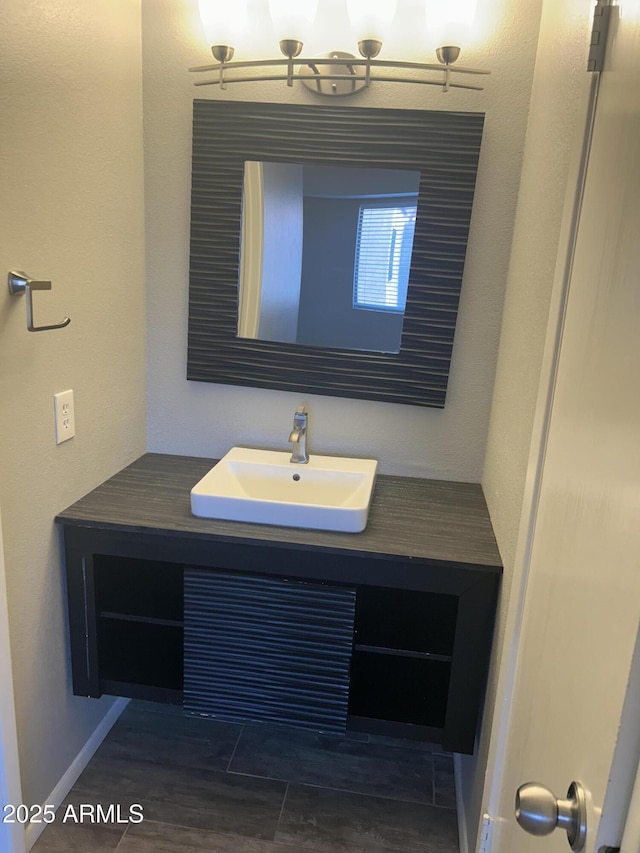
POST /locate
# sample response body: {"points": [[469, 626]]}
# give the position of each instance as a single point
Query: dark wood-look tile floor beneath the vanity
{"points": [[203, 785]]}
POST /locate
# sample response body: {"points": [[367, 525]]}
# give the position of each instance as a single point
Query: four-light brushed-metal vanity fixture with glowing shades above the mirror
{"points": [[339, 73]]}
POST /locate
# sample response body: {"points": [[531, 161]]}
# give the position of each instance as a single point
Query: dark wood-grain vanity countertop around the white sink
{"points": [[433, 520]]}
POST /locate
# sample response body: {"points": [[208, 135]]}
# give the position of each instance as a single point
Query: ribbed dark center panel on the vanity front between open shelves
{"points": [[267, 650]]}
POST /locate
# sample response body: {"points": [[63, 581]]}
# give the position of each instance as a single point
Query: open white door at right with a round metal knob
{"points": [[582, 604]]}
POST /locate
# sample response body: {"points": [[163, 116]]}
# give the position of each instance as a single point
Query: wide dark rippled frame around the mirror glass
{"points": [[443, 147]]}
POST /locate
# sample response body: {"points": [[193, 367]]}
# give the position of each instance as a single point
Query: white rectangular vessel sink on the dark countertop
{"points": [[265, 487]]}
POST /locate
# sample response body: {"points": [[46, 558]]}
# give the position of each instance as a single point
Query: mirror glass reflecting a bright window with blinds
{"points": [[325, 254]]}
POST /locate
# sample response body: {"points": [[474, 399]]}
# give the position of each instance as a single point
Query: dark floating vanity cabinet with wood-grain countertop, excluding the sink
{"points": [[386, 631]]}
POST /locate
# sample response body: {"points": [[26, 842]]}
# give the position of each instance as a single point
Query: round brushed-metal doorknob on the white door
{"points": [[539, 812]]}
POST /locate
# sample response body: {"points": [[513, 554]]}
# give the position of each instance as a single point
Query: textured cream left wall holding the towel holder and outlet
{"points": [[72, 212]]}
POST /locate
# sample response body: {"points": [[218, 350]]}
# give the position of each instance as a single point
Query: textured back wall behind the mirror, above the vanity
{"points": [[205, 419]]}
